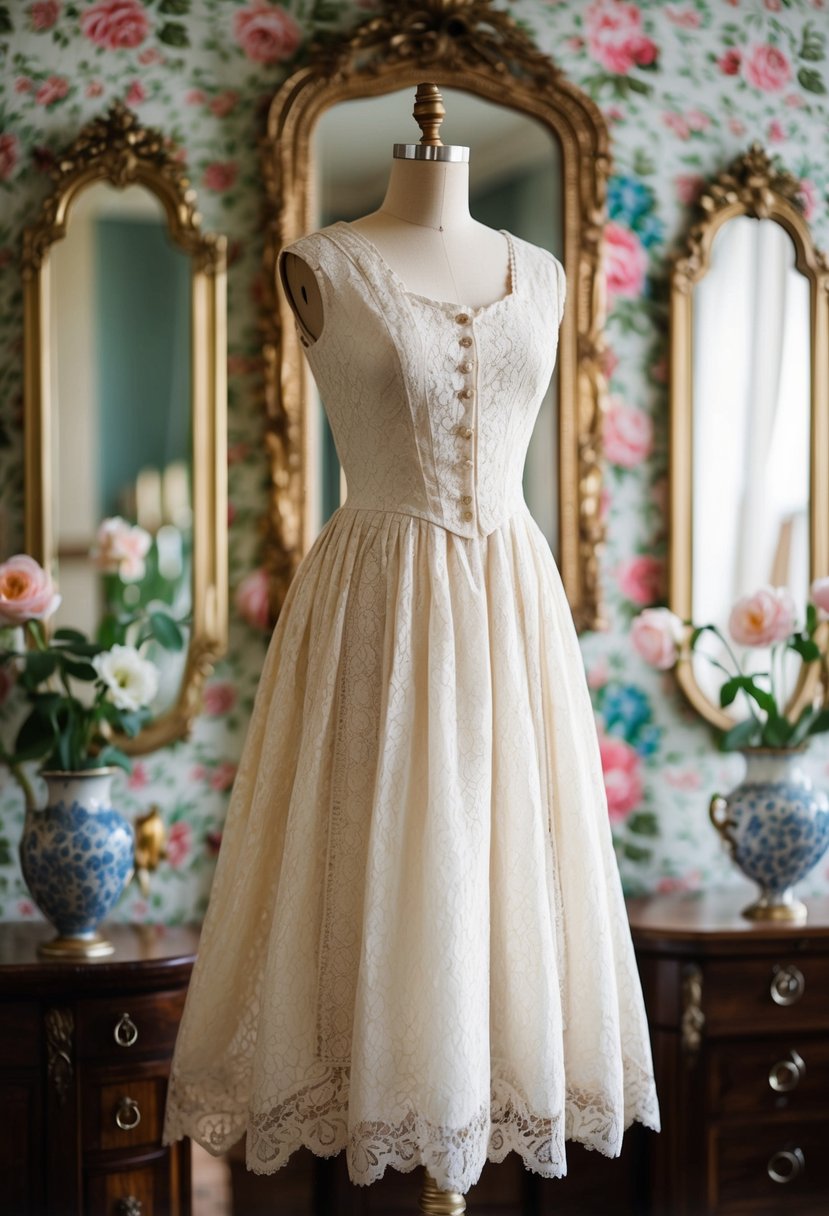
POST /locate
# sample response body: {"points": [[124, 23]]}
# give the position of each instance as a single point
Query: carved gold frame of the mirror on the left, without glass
{"points": [[117, 150]]}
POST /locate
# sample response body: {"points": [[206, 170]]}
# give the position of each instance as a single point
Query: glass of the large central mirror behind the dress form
{"points": [[516, 184]]}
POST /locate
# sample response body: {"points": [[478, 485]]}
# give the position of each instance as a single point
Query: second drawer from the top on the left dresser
{"points": [[125, 1114]]}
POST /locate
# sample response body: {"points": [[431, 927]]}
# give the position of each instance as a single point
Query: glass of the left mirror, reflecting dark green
{"points": [[121, 334]]}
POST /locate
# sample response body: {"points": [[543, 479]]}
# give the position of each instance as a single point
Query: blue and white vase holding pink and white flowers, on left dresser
{"points": [[77, 855]]}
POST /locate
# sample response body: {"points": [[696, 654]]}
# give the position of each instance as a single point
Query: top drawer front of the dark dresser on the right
{"points": [[775, 995]]}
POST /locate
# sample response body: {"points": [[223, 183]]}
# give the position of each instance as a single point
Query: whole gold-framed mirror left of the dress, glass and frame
{"points": [[126, 396]]}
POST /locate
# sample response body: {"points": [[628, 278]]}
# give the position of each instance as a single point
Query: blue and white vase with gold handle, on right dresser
{"points": [[776, 827]]}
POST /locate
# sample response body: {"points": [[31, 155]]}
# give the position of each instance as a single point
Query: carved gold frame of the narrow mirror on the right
{"points": [[755, 188]]}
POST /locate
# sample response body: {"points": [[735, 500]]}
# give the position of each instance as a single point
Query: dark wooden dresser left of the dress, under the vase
{"points": [[84, 1059]]}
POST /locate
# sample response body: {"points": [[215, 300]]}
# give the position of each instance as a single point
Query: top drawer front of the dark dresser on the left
{"points": [[120, 1029]]}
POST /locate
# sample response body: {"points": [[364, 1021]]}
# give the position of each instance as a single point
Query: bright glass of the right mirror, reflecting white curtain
{"points": [[752, 419]]}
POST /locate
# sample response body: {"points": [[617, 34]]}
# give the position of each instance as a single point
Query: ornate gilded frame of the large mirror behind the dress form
{"points": [[461, 44]]}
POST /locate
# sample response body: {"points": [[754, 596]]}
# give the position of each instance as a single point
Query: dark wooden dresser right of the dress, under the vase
{"points": [[740, 1018]]}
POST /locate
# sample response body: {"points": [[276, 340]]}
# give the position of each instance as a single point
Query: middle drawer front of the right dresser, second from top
{"points": [[768, 1076]]}
